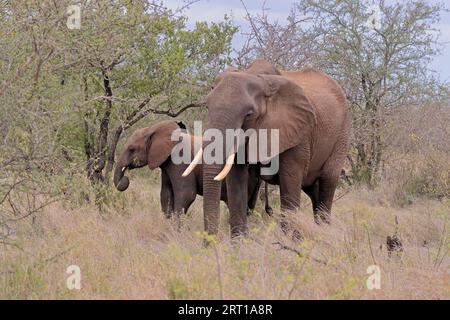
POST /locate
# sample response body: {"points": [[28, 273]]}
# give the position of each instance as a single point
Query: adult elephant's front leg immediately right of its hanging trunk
{"points": [[237, 190]]}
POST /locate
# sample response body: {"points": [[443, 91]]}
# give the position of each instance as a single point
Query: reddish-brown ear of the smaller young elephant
{"points": [[159, 143]]}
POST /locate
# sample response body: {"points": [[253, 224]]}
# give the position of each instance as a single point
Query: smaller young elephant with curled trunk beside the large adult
{"points": [[152, 146]]}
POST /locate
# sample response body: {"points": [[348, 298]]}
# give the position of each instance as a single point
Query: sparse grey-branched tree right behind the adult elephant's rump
{"points": [[381, 64]]}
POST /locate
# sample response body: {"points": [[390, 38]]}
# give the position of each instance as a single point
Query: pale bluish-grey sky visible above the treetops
{"points": [[214, 10]]}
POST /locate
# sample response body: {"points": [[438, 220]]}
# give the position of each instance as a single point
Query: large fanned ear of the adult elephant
{"points": [[289, 110]]}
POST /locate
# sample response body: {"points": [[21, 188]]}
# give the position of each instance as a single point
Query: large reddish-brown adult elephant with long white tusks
{"points": [[308, 108]]}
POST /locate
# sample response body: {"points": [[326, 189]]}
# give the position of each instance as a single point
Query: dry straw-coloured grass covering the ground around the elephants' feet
{"points": [[133, 252]]}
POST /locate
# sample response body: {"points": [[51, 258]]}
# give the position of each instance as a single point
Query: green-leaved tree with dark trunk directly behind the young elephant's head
{"points": [[140, 60]]}
